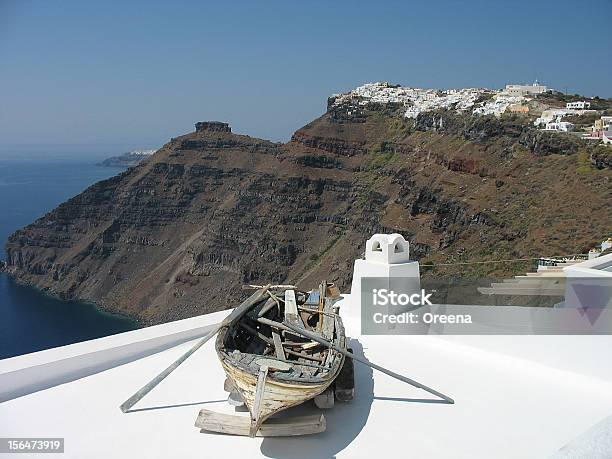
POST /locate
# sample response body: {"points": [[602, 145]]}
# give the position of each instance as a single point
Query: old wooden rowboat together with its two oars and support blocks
{"points": [[279, 348]]}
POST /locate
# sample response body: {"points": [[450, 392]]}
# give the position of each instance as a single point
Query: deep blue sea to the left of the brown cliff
{"points": [[29, 319]]}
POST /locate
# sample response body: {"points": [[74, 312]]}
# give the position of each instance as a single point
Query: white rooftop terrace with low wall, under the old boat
{"points": [[514, 397]]}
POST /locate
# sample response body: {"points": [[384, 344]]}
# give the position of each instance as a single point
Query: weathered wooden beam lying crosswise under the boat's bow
{"points": [[210, 421]]}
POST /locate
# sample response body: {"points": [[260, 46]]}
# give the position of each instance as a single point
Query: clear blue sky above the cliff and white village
{"points": [[108, 75]]}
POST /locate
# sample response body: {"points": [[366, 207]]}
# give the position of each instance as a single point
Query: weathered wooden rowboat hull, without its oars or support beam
{"points": [[273, 367]]}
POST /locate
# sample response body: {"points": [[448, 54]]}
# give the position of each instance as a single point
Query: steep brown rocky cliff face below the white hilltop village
{"points": [[212, 210]]}
